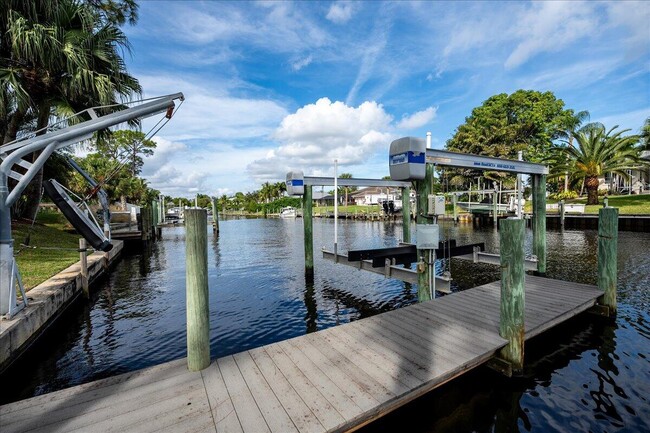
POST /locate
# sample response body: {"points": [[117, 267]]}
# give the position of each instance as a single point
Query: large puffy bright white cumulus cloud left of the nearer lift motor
{"points": [[316, 134]]}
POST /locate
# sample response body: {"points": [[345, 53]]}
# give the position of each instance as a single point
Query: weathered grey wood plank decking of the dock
{"points": [[333, 380]]}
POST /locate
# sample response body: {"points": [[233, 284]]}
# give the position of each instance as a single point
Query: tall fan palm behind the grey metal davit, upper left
{"points": [[60, 56]]}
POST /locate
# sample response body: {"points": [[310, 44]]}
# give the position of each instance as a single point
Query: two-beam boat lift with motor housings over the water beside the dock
{"points": [[407, 160]]}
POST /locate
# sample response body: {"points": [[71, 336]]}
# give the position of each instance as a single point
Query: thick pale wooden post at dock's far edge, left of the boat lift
{"points": [[196, 277]]}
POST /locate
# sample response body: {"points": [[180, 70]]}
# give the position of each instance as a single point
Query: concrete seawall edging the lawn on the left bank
{"points": [[46, 302]]}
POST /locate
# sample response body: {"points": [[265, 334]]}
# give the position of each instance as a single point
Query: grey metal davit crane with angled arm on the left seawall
{"points": [[13, 155]]}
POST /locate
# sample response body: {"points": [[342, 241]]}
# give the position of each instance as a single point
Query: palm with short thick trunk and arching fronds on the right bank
{"points": [[598, 151]]}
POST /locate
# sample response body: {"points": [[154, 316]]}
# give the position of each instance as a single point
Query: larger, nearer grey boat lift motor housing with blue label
{"points": [[407, 159]]}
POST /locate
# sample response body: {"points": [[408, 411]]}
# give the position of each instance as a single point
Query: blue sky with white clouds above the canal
{"points": [[277, 86]]}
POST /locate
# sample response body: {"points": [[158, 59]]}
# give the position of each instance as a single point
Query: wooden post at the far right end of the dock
{"points": [[607, 255]]}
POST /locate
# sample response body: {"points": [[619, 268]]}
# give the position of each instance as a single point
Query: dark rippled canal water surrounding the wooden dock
{"points": [[590, 374]]}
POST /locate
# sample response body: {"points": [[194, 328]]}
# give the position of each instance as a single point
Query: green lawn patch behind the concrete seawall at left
{"points": [[38, 264]]}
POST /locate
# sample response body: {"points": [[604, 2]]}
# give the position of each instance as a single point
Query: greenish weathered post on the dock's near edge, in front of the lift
{"points": [[511, 326]]}
